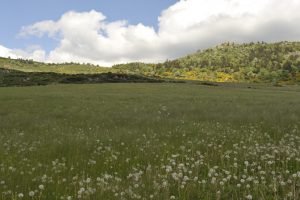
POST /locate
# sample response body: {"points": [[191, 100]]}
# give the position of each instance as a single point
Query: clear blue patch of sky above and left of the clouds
{"points": [[17, 13]]}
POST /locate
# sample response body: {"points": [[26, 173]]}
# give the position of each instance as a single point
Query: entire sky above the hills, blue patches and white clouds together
{"points": [[107, 32]]}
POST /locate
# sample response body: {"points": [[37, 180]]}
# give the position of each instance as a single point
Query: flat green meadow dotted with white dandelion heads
{"points": [[149, 141]]}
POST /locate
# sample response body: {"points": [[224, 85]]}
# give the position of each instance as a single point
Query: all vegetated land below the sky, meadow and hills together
{"points": [[198, 140]]}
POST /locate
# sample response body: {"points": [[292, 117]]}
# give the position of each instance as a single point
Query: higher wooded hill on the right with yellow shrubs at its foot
{"points": [[229, 62]]}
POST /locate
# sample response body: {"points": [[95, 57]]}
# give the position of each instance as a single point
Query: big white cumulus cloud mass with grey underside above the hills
{"points": [[184, 27]]}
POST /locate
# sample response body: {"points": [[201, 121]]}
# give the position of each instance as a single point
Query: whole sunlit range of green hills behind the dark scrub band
{"points": [[228, 62]]}
